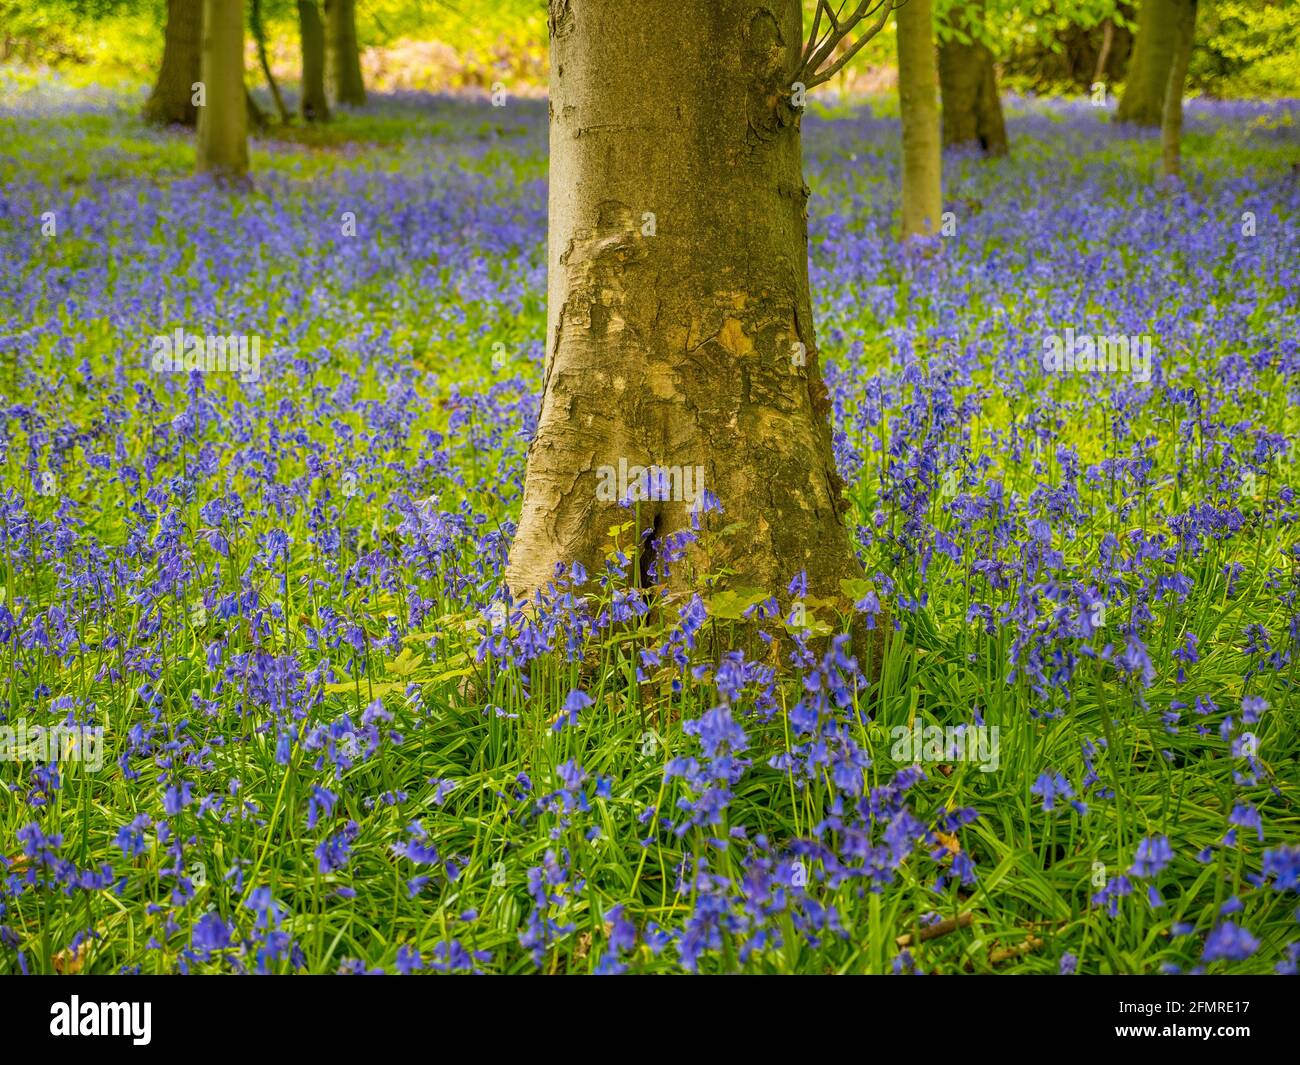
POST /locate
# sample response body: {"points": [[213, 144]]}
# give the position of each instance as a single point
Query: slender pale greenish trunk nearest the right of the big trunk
{"points": [[918, 103]]}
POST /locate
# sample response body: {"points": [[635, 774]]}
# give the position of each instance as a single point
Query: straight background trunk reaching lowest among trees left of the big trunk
{"points": [[223, 149]]}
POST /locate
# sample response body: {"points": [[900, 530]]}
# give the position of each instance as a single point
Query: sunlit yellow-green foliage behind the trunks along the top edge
{"points": [[1245, 47]]}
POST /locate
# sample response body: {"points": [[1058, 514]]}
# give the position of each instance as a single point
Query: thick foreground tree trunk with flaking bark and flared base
{"points": [[679, 319]]}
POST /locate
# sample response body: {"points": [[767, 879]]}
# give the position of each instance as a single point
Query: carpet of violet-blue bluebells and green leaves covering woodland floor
{"points": [[332, 744]]}
